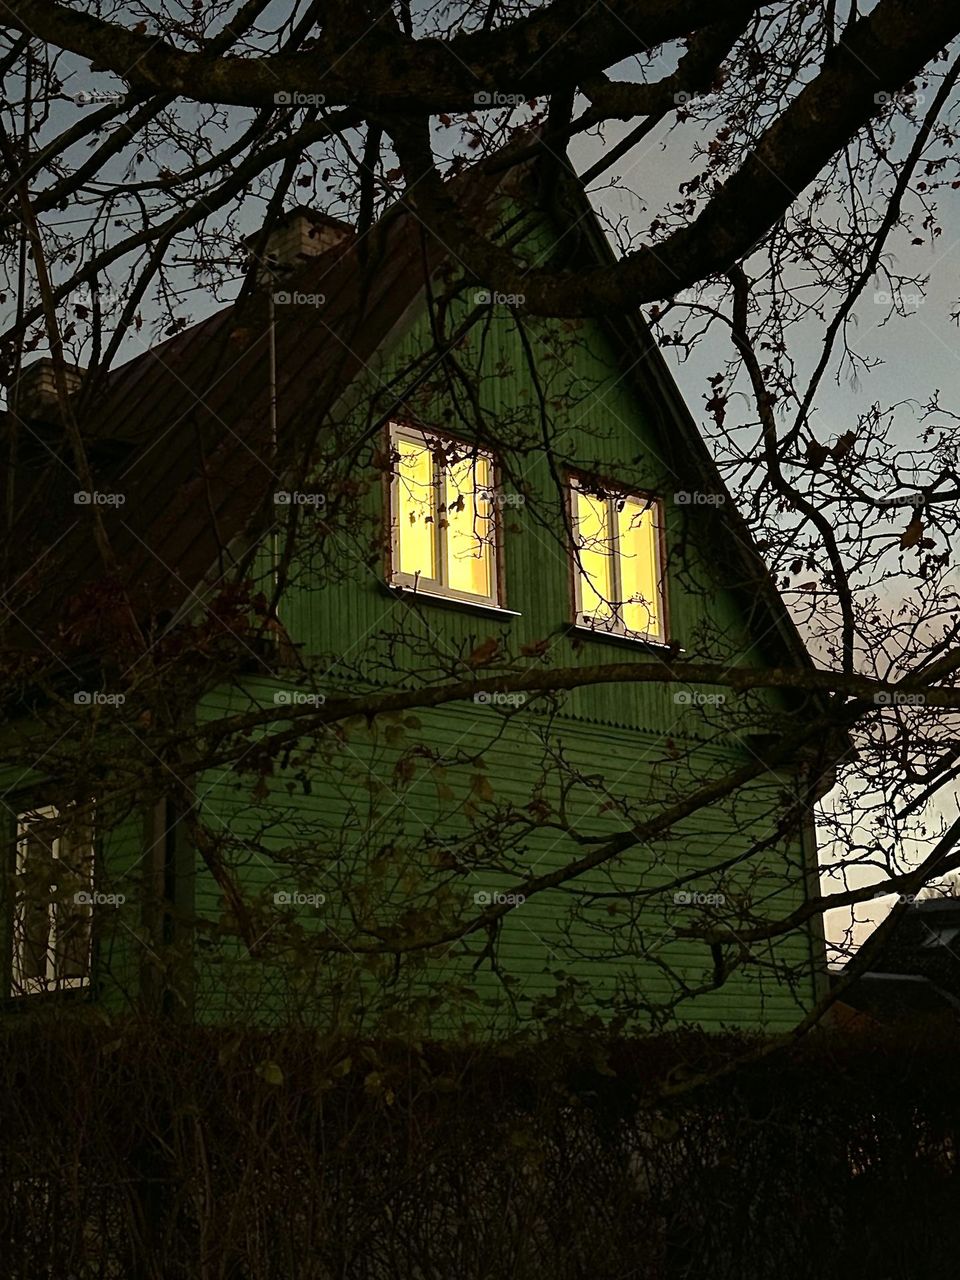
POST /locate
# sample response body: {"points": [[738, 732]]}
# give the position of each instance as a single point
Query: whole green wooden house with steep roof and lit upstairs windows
{"points": [[374, 478]]}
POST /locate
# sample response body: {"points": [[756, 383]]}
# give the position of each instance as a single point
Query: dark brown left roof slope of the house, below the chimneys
{"points": [[185, 433]]}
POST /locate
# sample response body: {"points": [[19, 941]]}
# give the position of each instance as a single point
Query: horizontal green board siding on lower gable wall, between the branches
{"points": [[364, 804]]}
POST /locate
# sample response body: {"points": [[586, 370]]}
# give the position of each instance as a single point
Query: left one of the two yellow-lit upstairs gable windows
{"points": [[444, 518]]}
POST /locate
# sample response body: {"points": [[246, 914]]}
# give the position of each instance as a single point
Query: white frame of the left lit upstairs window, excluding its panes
{"points": [[429, 586]]}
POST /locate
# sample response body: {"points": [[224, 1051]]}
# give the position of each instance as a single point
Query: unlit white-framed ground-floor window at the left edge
{"points": [[53, 900]]}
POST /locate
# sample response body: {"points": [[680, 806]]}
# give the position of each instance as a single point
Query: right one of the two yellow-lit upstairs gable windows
{"points": [[619, 572]]}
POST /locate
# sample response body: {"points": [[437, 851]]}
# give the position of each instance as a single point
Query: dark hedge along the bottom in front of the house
{"points": [[154, 1153]]}
